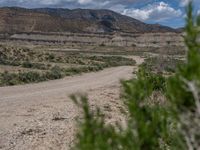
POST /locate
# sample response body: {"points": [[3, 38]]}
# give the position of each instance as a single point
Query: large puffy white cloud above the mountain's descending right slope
{"points": [[157, 11]]}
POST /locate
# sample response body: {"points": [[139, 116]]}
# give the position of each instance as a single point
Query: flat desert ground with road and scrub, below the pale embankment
{"points": [[41, 115]]}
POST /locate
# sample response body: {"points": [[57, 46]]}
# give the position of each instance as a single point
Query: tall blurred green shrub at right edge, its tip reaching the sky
{"points": [[184, 87]]}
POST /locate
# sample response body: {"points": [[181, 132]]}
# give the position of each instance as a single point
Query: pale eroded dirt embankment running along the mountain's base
{"points": [[118, 39]]}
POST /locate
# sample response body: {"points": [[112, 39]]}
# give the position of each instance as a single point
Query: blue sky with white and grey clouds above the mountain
{"points": [[165, 12]]}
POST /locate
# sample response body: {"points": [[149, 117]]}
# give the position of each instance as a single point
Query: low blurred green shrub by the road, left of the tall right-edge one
{"points": [[148, 127]]}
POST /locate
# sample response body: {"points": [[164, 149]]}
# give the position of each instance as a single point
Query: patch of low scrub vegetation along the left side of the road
{"points": [[22, 65]]}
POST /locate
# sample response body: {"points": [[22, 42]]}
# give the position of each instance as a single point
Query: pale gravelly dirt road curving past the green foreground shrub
{"points": [[41, 116]]}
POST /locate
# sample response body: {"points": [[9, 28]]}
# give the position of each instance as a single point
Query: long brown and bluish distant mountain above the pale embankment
{"points": [[14, 19]]}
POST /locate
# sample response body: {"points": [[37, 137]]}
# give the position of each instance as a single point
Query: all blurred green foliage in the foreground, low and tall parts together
{"points": [[173, 125]]}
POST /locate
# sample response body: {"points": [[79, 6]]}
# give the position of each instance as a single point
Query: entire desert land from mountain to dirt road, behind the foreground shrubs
{"points": [[47, 54]]}
